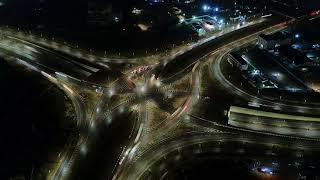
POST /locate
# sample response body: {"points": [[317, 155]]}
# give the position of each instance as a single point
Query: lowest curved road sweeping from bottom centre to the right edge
{"points": [[272, 146]]}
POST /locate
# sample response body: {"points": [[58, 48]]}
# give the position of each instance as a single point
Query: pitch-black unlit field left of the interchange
{"points": [[35, 125]]}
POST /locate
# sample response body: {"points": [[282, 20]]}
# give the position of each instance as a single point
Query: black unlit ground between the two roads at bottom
{"points": [[104, 146]]}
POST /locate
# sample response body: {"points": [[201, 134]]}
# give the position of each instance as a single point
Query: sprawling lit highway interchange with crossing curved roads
{"points": [[128, 123]]}
